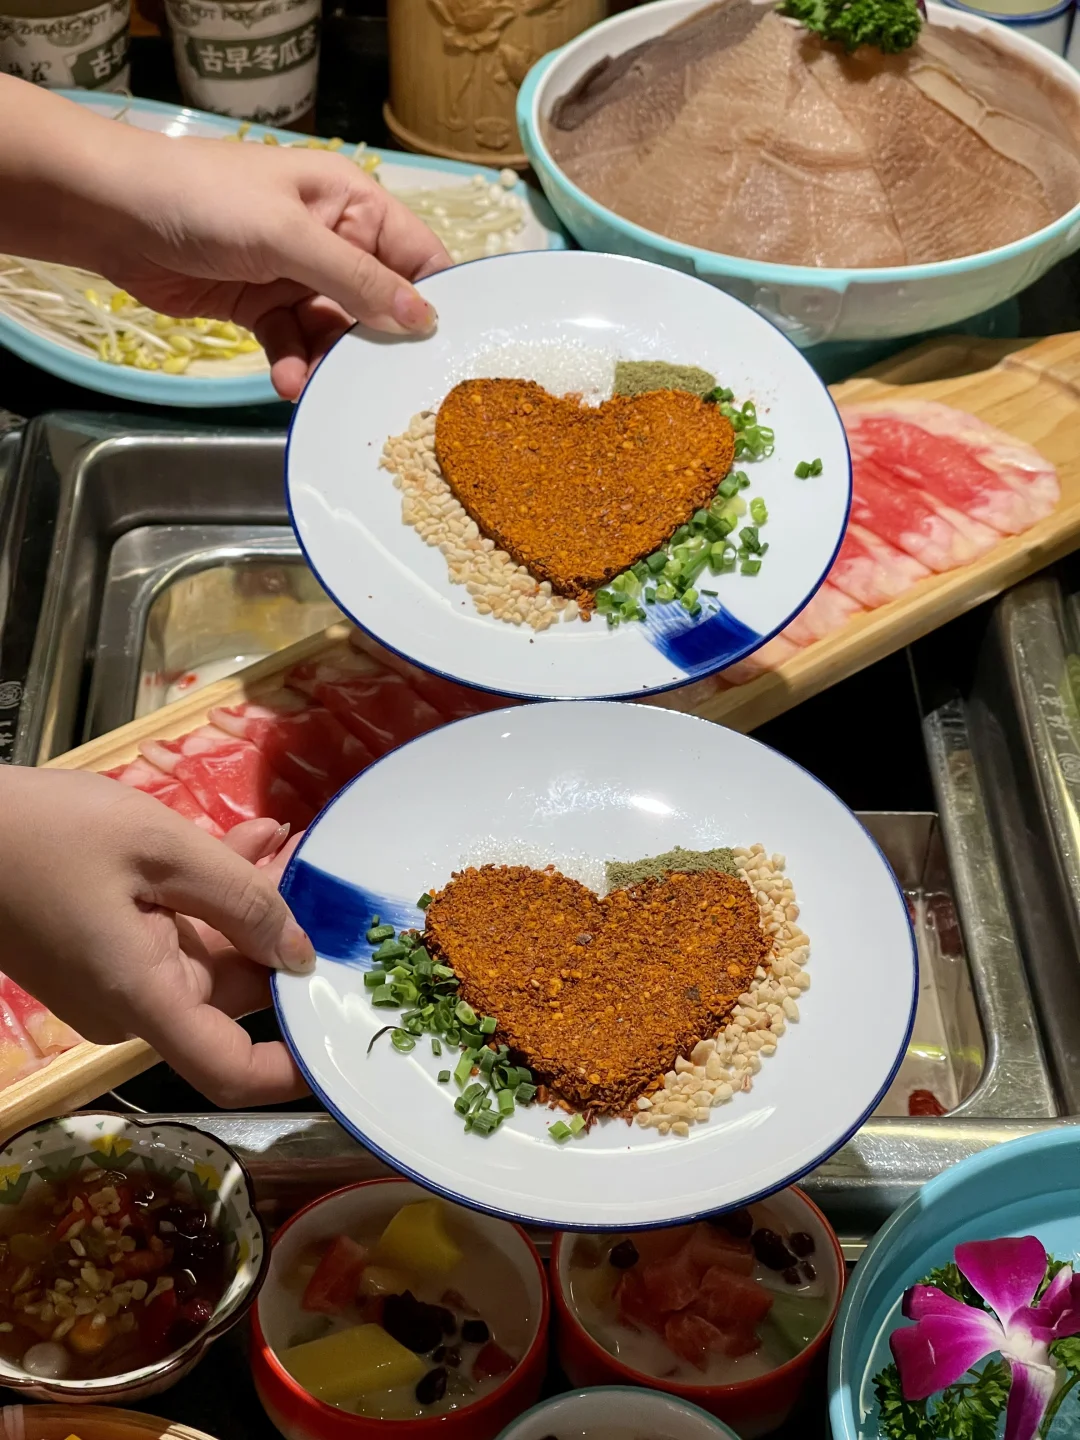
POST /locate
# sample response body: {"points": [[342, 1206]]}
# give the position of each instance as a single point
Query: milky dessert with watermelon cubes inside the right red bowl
{"points": [[714, 1304]]}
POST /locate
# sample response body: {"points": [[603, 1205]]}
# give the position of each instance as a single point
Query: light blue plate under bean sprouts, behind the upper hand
{"points": [[397, 171]]}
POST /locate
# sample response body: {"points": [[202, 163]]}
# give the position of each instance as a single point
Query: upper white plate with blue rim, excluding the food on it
{"points": [[390, 582]]}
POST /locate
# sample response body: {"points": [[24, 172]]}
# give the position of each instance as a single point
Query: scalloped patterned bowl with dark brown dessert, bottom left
{"points": [[139, 1174]]}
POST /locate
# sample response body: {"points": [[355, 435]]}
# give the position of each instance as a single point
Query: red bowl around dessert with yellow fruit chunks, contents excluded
{"points": [[299, 1416]]}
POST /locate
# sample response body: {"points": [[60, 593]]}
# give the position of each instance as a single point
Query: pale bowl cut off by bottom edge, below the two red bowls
{"points": [[616, 1413]]}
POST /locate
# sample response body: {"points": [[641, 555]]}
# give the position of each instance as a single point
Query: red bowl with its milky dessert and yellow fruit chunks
{"points": [[490, 1290]]}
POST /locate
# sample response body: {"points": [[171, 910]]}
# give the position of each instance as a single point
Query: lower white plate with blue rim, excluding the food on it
{"points": [[577, 786]]}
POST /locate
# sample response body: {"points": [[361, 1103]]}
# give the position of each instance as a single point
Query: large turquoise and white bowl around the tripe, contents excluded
{"points": [[810, 306]]}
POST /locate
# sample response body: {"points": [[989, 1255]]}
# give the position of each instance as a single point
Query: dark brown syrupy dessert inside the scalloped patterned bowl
{"points": [[104, 1274]]}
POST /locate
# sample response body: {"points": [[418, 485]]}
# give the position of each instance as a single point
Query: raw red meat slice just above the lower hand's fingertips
{"points": [[230, 778]]}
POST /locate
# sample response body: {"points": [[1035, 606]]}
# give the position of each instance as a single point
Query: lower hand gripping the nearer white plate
{"points": [[127, 921]]}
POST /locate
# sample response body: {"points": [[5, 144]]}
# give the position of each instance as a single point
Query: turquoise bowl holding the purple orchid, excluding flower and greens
{"points": [[1027, 1187]]}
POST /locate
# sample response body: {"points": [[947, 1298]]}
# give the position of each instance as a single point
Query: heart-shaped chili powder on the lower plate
{"points": [[600, 996]]}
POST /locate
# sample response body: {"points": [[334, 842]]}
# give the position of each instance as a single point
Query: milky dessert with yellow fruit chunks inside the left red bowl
{"points": [[417, 1317]]}
